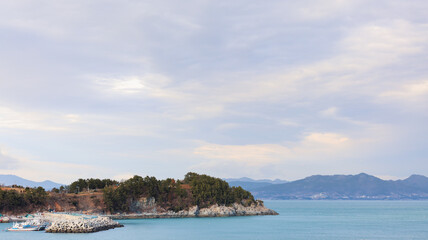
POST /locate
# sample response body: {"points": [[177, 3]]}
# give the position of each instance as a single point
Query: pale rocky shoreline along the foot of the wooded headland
{"points": [[213, 211]]}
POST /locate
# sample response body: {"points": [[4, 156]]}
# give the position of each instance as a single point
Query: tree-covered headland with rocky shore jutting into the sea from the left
{"points": [[194, 196]]}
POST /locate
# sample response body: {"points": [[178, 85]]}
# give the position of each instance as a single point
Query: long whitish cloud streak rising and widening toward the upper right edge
{"points": [[364, 50]]}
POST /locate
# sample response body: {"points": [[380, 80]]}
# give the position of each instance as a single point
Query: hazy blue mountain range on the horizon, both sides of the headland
{"points": [[361, 186]]}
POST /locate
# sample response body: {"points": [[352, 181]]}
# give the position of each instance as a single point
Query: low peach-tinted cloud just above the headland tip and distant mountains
{"points": [[276, 160]]}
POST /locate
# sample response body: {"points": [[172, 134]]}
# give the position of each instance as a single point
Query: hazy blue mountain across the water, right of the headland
{"points": [[361, 186]]}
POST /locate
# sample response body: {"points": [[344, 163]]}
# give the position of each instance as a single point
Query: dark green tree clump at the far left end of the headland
{"points": [[11, 200]]}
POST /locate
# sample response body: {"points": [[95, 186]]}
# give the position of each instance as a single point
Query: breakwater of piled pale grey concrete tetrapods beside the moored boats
{"points": [[64, 223]]}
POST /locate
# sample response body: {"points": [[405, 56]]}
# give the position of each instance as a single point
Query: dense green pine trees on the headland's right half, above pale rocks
{"points": [[169, 194]]}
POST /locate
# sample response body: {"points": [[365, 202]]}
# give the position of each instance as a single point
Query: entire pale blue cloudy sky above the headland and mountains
{"points": [[261, 89]]}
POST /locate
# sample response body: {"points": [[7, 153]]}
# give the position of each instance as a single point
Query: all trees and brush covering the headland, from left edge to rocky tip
{"points": [[132, 195]]}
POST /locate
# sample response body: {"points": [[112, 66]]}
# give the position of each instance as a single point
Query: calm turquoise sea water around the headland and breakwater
{"points": [[297, 220]]}
